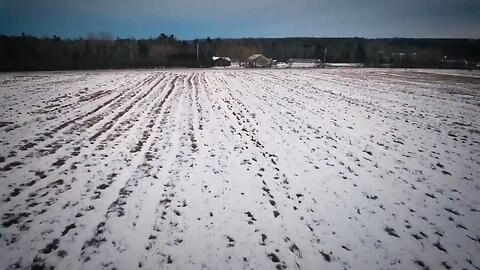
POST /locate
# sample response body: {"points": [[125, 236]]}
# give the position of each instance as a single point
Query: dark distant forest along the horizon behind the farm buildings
{"points": [[103, 51]]}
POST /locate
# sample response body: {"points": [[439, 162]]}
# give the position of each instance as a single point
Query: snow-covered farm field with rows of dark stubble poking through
{"points": [[239, 169]]}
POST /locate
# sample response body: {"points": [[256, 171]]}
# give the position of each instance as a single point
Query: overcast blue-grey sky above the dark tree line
{"points": [[190, 19]]}
